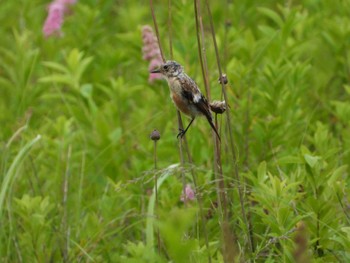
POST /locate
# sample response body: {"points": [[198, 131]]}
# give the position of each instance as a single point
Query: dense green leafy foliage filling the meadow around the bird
{"points": [[76, 112]]}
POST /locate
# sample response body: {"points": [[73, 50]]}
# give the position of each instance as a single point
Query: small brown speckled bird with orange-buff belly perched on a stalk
{"points": [[185, 94]]}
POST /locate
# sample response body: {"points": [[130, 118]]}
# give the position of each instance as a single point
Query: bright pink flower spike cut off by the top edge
{"points": [[56, 11]]}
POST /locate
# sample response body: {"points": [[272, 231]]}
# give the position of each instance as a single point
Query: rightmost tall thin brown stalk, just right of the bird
{"points": [[231, 140]]}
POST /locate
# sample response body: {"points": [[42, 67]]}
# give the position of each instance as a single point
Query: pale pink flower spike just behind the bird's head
{"points": [[151, 52]]}
